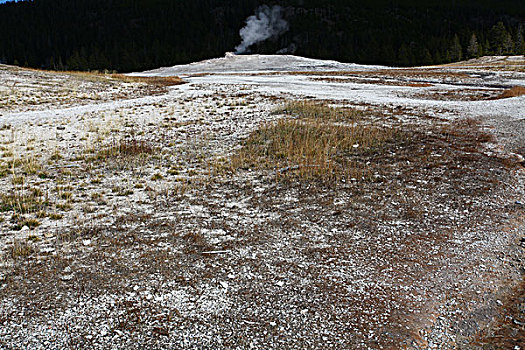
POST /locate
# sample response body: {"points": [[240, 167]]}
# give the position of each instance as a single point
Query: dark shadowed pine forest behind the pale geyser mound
{"points": [[131, 35]]}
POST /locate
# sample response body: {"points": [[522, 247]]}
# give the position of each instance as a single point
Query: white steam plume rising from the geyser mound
{"points": [[267, 22]]}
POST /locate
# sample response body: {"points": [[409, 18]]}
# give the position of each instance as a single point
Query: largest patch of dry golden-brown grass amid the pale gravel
{"points": [[312, 147]]}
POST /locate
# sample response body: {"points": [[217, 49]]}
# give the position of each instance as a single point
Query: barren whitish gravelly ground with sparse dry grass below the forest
{"points": [[265, 202]]}
